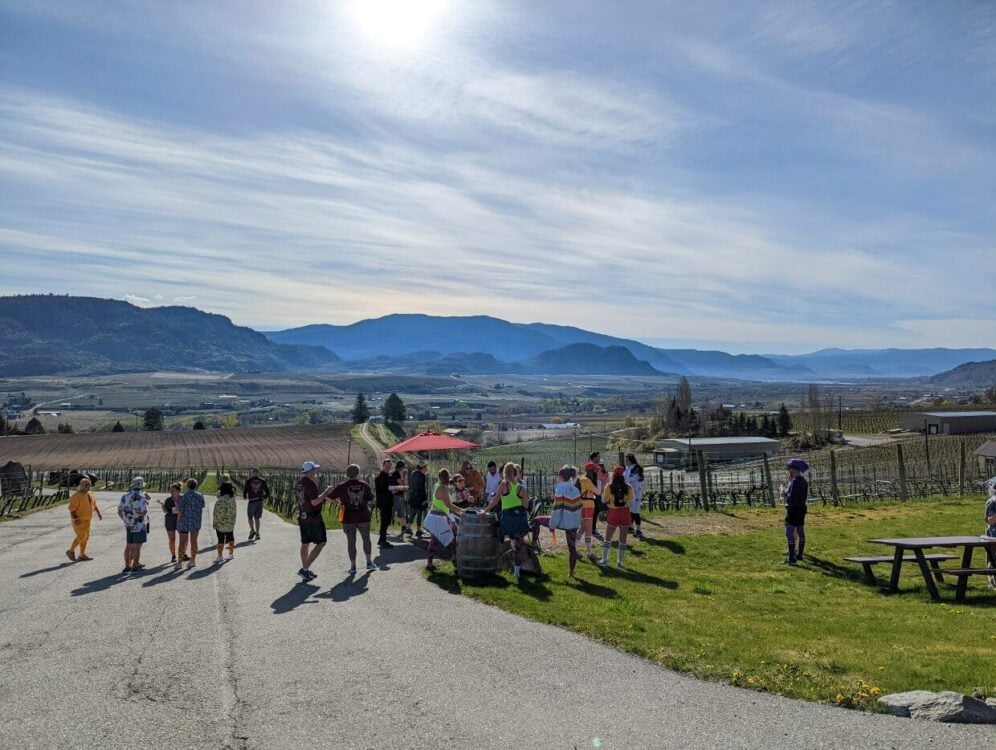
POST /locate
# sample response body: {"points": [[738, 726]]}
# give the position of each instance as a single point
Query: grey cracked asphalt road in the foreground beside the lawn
{"points": [[243, 656]]}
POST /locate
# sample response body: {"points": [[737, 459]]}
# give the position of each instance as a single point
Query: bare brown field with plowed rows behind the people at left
{"points": [[241, 447]]}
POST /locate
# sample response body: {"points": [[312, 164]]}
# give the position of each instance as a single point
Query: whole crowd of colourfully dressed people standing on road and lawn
{"points": [[580, 500]]}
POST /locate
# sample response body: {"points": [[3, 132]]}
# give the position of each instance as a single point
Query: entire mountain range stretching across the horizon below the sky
{"points": [[48, 334]]}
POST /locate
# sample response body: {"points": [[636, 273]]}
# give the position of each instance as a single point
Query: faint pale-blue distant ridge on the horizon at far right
{"points": [[887, 363]]}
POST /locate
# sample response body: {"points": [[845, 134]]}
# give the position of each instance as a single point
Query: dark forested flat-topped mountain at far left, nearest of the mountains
{"points": [[47, 334]]}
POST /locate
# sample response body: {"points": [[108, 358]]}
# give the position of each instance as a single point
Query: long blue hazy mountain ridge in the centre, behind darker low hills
{"points": [[398, 335]]}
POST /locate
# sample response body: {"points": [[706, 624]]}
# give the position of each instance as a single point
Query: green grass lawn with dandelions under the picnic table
{"points": [[717, 602]]}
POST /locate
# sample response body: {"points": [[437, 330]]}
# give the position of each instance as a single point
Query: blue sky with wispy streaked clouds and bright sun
{"points": [[748, 176]]}
